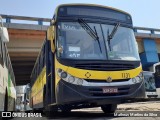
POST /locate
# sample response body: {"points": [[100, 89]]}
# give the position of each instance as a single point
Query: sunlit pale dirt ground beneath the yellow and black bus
{"points": [[131, 111]]}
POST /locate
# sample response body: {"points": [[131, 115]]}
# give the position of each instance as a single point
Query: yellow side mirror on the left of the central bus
{"points": [[51, 37]]}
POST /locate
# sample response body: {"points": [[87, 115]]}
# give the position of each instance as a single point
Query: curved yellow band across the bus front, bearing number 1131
{"points": [[97, 75]]}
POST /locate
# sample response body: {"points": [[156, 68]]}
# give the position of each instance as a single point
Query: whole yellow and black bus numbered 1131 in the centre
{"points": [[89, 58]]}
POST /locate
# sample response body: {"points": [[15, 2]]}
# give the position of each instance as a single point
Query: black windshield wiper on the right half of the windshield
{"points": [[110, 36]]}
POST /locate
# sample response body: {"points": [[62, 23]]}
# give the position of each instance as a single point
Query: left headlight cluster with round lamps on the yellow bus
{"points": [[69, 78]]}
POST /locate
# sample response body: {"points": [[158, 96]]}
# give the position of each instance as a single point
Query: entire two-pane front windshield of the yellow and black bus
{"points": [[74, 42]]}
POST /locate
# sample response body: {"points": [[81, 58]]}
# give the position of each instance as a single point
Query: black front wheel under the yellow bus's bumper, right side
{"points": [[109, 108]]}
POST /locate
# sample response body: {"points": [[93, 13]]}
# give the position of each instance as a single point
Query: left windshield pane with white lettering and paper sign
{"points": [[76, 43]]}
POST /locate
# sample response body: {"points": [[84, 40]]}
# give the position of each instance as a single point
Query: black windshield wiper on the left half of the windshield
{"points": [[90, 31]]}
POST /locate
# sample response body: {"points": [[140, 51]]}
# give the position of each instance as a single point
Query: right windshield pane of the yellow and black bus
{"points": [[123, 44]]}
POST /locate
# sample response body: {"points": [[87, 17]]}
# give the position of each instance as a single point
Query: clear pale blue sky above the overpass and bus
{"points": [[145, 13]]}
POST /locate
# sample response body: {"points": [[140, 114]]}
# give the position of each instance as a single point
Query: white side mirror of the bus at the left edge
{"points": [[4, 34]]}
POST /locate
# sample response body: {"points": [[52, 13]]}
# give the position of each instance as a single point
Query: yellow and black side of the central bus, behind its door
{"points": [[38, 80]]}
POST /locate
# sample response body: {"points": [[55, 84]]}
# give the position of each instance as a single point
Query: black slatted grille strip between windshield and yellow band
{"points": [[105, 66]]}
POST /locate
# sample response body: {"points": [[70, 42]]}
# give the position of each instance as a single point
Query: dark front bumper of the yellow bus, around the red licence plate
{"points": [[71, 94]]}
